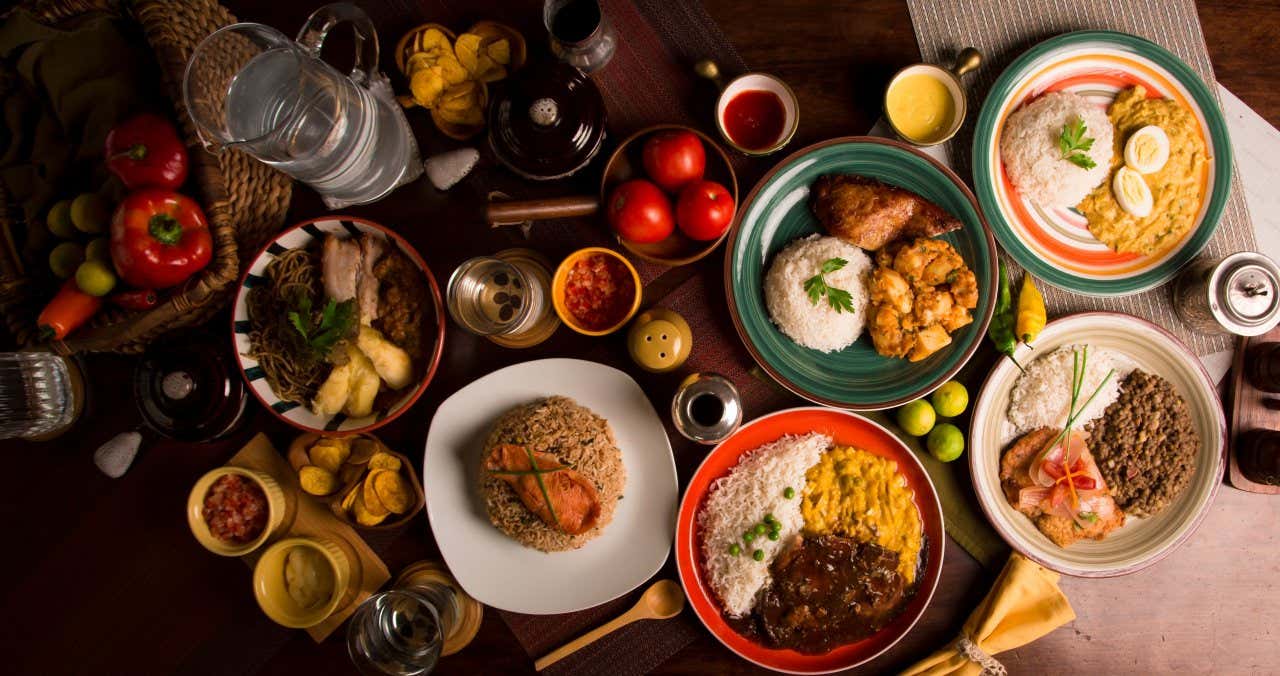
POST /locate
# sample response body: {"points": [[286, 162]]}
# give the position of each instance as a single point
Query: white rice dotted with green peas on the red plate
{"points": [[739, 501]]}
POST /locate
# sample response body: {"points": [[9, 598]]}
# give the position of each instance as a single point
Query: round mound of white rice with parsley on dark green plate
{"points": [[817, 326]]}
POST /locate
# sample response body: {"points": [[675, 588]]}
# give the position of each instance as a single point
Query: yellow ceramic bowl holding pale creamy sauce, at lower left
{"points": [[275, 599]]}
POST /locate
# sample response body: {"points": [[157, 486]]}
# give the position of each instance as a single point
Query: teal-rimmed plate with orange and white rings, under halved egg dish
{"points": [[1055, 243]]}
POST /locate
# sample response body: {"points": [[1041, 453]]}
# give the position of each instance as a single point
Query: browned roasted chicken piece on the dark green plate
{"points": [[870, 214]]}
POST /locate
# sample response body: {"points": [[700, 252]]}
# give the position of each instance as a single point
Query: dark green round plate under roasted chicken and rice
{"points": [[776, 213]]}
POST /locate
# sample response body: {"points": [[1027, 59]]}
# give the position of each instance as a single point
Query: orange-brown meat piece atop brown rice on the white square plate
{"points": [[575, 505]]}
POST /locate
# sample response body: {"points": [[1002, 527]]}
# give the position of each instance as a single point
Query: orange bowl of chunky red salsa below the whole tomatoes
{"points": [[596, 291]]}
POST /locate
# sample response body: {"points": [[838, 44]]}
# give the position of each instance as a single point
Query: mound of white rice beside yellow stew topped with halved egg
{"points": [[1028, 147]]}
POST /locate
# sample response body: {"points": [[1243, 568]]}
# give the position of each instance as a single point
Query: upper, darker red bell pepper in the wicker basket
{"points": [[145, 152]]}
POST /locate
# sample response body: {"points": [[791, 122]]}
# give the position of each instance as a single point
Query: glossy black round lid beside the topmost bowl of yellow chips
{"points": [[548, 124]]}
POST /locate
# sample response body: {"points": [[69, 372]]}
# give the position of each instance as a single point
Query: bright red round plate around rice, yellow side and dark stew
{"points": [[847, 430]]}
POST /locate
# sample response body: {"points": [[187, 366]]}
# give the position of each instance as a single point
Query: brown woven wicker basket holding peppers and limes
{"points": [[245, 200]]}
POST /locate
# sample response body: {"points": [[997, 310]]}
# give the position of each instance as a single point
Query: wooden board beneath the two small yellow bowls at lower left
{"points": [[307, 517]]}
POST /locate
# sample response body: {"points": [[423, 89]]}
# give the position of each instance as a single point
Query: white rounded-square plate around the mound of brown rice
{"points": [[497, 570]]}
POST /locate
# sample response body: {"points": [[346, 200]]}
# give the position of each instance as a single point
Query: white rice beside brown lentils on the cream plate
{"points": [[1043, 396]]}
